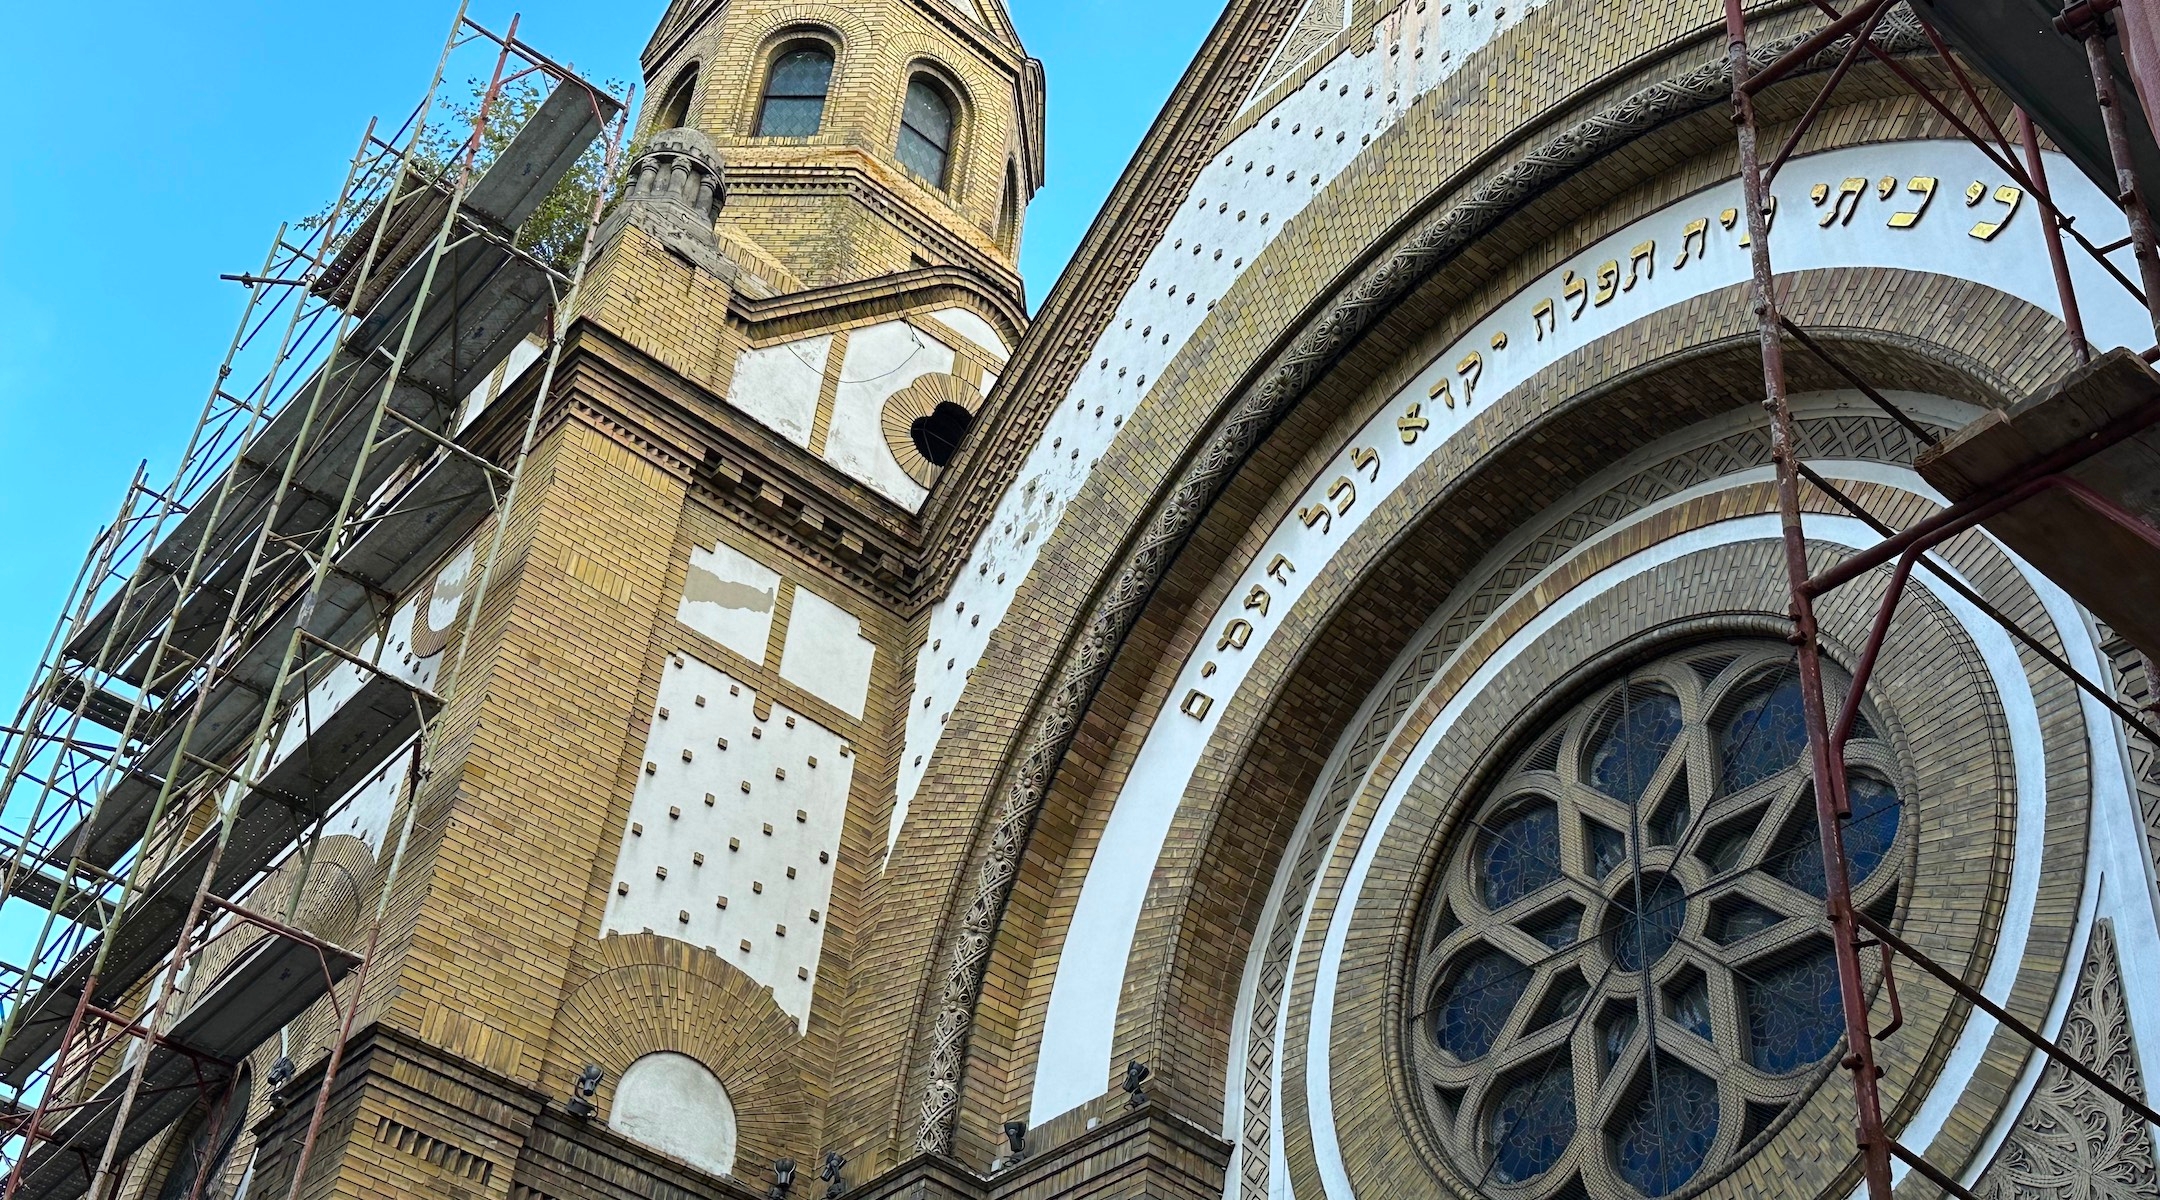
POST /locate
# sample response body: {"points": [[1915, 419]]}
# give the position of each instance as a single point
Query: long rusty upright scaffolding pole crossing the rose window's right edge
{"points": [[1828, 787]]}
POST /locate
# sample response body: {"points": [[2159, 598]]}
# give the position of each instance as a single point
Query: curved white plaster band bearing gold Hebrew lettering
{"points": [[1604, 290]]}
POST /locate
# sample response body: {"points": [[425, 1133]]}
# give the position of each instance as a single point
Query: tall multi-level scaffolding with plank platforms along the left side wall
{"points": [[221, 677]]}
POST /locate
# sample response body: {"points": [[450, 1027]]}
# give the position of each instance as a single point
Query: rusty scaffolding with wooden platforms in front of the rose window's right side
{"points": [[2066, 72]]}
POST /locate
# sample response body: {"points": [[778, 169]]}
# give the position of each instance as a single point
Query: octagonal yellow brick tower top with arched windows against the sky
{"points": [[861, 139]]}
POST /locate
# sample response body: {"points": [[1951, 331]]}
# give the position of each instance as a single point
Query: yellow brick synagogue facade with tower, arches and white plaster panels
{"points": [[701, 444]]}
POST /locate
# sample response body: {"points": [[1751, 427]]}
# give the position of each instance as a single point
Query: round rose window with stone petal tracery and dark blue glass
{"points": [[1628, 979]]}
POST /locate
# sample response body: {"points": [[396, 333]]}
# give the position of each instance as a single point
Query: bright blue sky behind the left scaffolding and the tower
{"points": [[172, 154]]}
